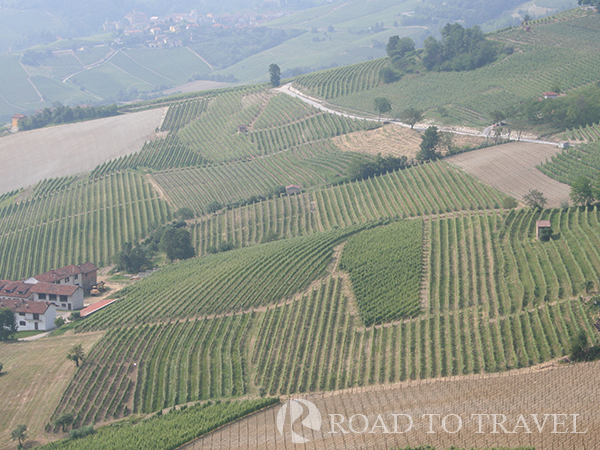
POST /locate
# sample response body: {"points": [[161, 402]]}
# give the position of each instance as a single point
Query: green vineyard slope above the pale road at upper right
{"points": [[561, 51]]}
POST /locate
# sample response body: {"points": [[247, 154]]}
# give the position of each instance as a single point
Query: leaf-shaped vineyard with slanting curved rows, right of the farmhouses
{"points": [[224, 283]]}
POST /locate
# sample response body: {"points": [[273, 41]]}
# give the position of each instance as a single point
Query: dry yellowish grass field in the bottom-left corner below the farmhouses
{"points": [[34, 377]]}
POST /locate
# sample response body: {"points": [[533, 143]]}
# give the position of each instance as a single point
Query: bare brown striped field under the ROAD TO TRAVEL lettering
{"points": [[546, 407]]}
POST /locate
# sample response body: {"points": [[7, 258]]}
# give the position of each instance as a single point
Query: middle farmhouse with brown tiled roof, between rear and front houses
{"points": [[65, 297]]}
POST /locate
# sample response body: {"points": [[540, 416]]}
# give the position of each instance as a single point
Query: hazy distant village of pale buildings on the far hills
{"points": [[171, 30]]}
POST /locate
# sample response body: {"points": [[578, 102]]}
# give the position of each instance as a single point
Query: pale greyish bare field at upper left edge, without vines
{"points": [[31, 156]]}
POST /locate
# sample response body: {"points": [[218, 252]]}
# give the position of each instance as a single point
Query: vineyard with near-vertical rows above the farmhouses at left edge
{"points": [[86, 221]]}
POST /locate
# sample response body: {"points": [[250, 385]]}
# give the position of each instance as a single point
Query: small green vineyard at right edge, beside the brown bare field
{"points": [[574, 162]]}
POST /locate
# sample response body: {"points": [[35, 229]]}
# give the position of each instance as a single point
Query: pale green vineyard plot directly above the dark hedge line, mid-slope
{"points": [[307, 165]]}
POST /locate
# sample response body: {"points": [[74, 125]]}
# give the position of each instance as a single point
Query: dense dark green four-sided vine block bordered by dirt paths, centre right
{"points": [[385, 269]]}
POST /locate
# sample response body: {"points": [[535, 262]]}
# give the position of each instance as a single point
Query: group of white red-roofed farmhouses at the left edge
{"points": [[35, 300]]}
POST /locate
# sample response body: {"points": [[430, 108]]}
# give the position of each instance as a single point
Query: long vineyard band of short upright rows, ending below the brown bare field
{"points": [[434, 188]]}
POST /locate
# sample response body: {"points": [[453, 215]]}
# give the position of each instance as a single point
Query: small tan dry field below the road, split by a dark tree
{"points": [[393, 140]]}
